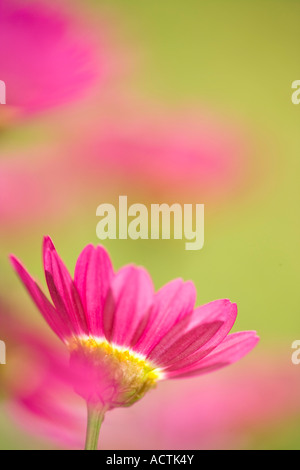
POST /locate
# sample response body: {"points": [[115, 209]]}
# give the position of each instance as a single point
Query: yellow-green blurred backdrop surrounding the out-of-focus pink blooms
{"points": [[238, 59]]}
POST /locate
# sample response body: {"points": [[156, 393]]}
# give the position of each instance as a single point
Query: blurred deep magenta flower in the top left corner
{"points": [[47, 56]]}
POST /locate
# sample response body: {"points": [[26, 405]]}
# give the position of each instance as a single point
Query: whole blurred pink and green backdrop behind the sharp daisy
{"points": [[165, 102]]}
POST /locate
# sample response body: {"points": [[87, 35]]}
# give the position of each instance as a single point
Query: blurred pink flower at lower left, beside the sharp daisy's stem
{"points": [[38, 368]]}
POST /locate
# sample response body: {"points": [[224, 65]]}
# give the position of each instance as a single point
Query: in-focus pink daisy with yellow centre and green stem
{"points": [[123, 337]]}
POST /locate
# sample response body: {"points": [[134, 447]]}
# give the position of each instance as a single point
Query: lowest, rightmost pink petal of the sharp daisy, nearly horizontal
{"points": [[232, 349]]}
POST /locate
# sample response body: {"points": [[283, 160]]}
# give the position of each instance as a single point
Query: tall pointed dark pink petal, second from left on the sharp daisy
{"points": [[62, 289]]}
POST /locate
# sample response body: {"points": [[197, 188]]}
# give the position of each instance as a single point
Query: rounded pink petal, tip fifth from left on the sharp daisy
{"points": [[171, 303]]}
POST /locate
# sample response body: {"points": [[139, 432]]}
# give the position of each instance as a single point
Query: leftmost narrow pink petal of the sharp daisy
{"points": [[56, 320]]}
